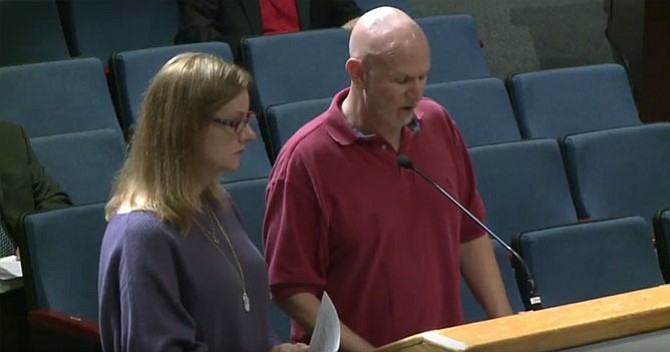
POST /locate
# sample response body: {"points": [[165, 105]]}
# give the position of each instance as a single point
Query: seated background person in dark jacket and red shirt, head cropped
{"points": [[231, 20]]}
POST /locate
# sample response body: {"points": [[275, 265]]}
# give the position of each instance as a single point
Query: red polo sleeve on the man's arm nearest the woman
{"points": [[294, 232]]}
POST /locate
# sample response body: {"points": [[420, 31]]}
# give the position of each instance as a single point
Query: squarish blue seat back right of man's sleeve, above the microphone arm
{"points": [[523, 186]]}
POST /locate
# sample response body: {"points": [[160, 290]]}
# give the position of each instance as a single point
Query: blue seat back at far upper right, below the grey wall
{"points": [[553, 103]]}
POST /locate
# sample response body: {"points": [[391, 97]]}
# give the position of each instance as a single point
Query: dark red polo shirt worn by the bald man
{"points": [[344, 218]]}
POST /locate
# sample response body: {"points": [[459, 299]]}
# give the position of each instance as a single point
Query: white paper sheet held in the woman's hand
{"points": [[326, 334]]}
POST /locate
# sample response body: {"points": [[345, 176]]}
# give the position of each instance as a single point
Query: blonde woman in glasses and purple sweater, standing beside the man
{"points": [[177, 270]]}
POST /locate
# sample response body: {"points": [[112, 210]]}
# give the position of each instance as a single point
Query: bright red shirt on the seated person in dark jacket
{"points": [[279, 16]]}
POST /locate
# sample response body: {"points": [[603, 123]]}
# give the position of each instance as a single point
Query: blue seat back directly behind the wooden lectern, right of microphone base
{"points": [[584, 261]]}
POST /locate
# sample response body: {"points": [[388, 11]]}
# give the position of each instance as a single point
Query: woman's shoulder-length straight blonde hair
{"points": [[160, 174]]}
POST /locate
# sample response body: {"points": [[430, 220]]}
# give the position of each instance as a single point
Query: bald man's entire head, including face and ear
{"points": [[388, 66]]}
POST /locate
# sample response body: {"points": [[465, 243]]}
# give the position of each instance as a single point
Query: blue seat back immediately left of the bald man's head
{"points": [[296, 66]]}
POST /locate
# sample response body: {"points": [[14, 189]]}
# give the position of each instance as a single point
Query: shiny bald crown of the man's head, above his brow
{"points": [[382, 32]]}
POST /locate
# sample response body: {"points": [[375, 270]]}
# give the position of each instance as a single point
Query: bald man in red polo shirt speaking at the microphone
{"points": [[344, 218]]}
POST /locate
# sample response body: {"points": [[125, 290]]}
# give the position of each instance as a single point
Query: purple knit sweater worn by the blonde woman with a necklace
{"points": [[161, 291]]}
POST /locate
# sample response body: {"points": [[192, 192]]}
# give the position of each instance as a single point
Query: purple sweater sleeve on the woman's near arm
{"points": [[152, 315]]}
